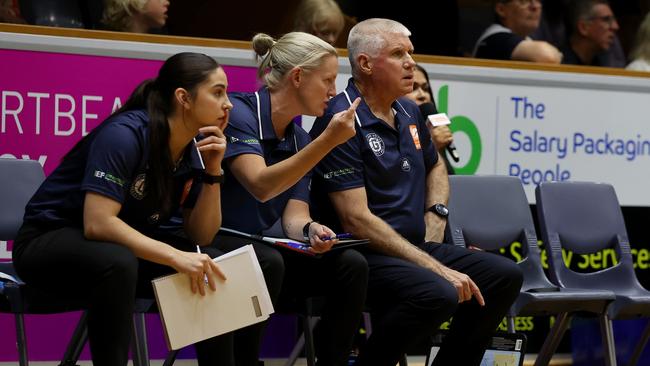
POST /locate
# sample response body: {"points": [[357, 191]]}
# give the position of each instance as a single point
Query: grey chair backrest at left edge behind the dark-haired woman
{"points": [[19, 179]]}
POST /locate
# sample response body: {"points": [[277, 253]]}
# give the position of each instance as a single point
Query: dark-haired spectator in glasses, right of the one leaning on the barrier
{"points": [[592, 27]]}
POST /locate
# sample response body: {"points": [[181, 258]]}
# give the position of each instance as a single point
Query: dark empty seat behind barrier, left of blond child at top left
{"points": [[55, 13]]}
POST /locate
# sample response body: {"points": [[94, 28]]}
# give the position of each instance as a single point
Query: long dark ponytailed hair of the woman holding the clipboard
{"points": [[183, 70]]}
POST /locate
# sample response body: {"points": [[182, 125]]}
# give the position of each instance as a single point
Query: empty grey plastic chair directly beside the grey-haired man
{"points": [[491, 212]]}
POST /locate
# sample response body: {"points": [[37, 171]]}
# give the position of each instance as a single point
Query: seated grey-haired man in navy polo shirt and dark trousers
{"points": [[388, 184]]}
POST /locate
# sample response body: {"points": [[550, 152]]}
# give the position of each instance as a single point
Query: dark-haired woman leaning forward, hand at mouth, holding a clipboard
{"points": [[92, 225]]}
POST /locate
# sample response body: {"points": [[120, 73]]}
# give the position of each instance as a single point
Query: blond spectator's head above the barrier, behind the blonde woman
{"points": [[322, 18]]}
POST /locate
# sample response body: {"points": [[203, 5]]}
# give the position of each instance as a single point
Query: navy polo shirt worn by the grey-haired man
{"points": [[391, 163]]}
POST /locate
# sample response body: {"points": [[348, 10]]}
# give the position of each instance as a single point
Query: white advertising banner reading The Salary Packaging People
{"points": [[542, 126]]}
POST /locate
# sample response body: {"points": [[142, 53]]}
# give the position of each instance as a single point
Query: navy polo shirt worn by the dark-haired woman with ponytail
{"points": [[112, 161]]}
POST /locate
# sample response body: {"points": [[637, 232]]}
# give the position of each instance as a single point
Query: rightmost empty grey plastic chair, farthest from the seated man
{"points": [[586, 218]]}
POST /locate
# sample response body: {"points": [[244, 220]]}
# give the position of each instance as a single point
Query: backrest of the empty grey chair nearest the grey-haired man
{"points": [[492, 212]]}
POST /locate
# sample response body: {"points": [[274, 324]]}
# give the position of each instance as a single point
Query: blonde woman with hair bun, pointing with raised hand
{"points": [[268, 164]]}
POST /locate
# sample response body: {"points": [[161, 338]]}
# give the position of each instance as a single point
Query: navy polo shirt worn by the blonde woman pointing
{"points": [[250, 131]]}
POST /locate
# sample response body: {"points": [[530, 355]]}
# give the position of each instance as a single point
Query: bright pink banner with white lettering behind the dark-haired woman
{"points": [[48, 101]]}
